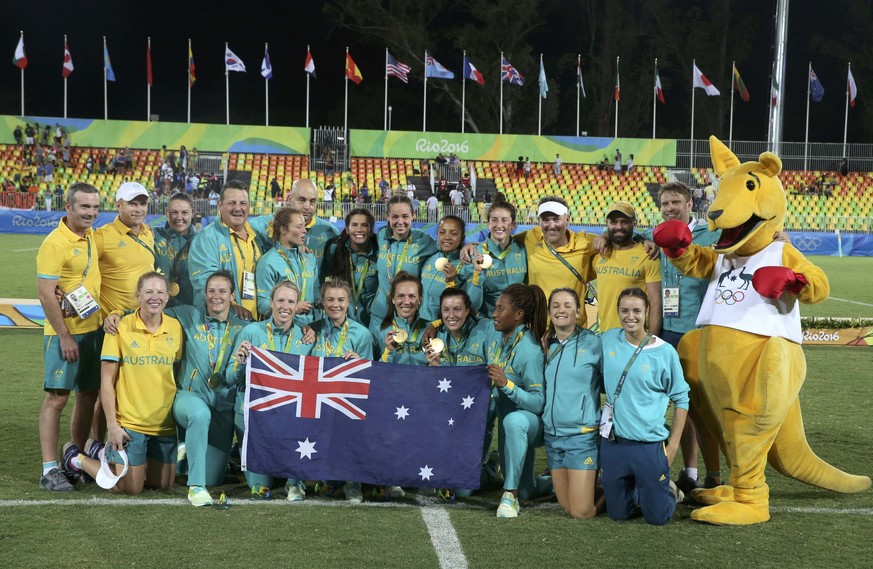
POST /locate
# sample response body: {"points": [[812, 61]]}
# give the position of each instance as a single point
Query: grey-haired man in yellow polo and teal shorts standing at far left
{"points": [[67, 260]]}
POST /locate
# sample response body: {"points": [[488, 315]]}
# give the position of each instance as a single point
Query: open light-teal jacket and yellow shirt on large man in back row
{"points": [[217, 248]]}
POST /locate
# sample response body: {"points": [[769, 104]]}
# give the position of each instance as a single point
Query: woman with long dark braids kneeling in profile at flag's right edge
{"points": [[515, 366]]}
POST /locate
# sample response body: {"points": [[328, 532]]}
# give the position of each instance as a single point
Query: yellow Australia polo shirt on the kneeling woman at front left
{"points": [[146, 386]]}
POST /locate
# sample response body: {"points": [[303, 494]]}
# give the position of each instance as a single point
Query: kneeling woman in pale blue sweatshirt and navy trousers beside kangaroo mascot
{"points": [[642, 376]]}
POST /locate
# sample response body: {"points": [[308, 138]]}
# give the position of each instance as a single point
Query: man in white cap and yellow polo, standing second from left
{"points": [[126, 248]]}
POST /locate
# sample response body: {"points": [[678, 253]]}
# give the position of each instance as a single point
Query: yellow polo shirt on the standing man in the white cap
{"points": [[124, 257]]}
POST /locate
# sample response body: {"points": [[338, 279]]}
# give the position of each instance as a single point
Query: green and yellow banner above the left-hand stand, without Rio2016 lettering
{"points": [[142, 134]]}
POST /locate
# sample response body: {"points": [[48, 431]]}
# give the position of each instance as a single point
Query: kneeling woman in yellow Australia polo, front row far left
{"points": [[137, 389]]}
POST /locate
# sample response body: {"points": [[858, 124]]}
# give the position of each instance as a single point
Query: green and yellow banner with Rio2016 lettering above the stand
{"points": [[508, 147]]}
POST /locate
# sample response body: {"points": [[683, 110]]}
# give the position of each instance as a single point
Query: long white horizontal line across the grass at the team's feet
{"points": [[423, 503]]}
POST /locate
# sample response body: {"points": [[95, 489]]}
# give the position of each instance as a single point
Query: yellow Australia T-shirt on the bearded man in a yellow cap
{"points": [[623, 269]]}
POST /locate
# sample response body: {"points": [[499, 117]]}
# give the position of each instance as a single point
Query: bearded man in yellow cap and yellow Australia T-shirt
{"points": [[625, 264]]}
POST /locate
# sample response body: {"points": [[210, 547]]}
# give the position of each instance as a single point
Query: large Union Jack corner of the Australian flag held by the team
{"points": [[306, 382]]}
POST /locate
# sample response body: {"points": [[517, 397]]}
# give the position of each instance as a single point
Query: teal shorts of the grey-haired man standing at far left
{"points": [[81, 375]]}
